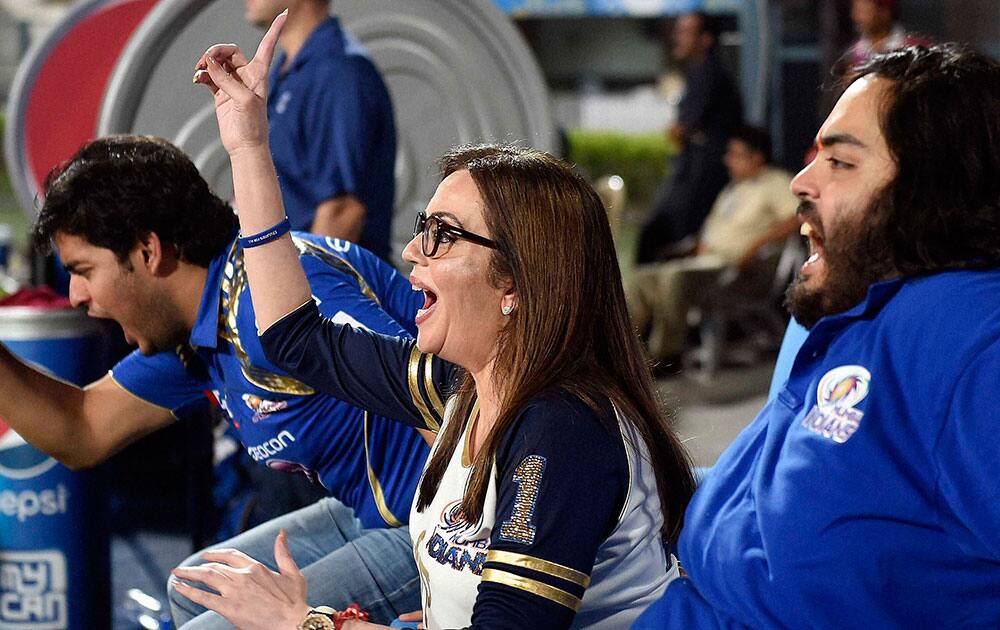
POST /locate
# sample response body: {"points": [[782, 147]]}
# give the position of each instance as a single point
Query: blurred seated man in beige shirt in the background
{"points": [[754, 210]]}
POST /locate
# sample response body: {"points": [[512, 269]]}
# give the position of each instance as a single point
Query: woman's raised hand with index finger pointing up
{"points": [[240, 89]]}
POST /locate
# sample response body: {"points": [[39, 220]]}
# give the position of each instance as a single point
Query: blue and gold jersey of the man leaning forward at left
{"points": [[368, 462]]}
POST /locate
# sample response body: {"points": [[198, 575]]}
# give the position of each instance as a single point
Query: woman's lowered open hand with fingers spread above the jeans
{"points": [[250, 595]]}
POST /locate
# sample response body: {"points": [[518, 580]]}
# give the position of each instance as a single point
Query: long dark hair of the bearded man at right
{"points": [[942, 125]]}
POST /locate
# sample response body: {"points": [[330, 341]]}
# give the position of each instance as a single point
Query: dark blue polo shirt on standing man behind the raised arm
{"points": [[333, 132]]}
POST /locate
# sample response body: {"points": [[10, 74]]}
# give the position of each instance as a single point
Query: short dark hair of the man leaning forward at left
{"points": [[117, 190]]}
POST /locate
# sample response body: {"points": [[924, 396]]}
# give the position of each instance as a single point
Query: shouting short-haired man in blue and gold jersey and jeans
{"points": [[148, 245]]}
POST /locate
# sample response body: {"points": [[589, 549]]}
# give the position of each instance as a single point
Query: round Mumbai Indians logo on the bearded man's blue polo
{"points": [[840, 390]]}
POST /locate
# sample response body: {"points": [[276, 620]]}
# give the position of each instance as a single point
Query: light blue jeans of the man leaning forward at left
{"points": [[342, 563]]}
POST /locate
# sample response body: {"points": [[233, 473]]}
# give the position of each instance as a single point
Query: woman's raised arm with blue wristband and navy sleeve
{"points": [[382, 374]]}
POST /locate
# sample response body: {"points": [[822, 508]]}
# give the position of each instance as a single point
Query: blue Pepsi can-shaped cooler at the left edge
{"points": [[55, 567]]}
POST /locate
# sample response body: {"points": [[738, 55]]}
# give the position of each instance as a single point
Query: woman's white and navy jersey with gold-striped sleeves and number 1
{"points": [[570, 531]]}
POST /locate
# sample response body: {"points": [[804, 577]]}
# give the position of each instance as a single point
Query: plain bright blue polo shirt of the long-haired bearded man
{"points": [[865, 494]]}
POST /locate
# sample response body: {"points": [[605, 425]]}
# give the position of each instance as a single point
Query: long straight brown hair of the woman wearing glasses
{"points": [[571, 328]]}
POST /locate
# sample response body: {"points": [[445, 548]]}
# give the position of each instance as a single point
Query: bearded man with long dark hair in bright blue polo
{"points": [[864, 495]]}
